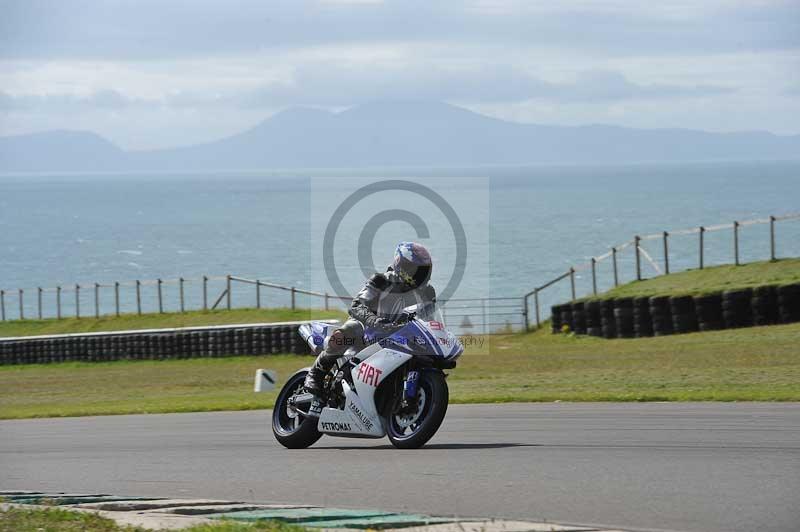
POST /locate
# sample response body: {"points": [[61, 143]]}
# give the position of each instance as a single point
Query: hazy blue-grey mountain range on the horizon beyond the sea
{"points": [[396, 134]]}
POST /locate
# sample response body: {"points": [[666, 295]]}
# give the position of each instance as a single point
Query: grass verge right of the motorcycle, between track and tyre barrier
{"points": [[752, 364]]}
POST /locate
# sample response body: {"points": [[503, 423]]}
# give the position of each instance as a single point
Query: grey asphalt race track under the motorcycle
{"points": [[699, 467]]}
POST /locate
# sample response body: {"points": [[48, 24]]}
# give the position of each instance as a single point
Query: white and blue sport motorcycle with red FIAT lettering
{"points": [[395, 386]]}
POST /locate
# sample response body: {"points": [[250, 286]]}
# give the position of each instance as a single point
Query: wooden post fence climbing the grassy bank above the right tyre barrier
{"points": [[655, 254]]}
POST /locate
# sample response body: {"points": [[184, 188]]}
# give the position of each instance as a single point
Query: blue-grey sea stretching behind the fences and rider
{"points": [[493, 232]]}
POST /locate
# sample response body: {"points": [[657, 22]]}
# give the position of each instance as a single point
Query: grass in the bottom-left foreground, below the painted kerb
{"points": [[62, 520]]}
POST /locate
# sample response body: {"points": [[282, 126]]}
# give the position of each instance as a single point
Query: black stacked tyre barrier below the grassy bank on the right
{"points": [[641, 317]]}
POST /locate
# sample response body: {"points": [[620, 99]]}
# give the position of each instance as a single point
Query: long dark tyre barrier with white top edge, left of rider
{"points": [[206, 342]]}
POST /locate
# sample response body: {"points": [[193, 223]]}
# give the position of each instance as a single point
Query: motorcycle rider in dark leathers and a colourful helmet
{"points": [[379, 307]]}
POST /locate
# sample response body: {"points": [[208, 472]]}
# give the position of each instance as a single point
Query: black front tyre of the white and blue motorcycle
{"points": [[433, 410]]}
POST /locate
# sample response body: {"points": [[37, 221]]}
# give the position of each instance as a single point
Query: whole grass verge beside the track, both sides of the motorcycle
{"points": [[753, 364]]}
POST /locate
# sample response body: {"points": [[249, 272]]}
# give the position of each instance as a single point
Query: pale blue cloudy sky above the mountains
{"points": [[157, 73]]}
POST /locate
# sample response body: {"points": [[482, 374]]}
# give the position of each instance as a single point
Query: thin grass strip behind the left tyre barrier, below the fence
{"points": [[157, 321]]}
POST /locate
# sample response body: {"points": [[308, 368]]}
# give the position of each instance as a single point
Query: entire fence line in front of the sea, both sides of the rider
{"points": [[642, 256]]}
